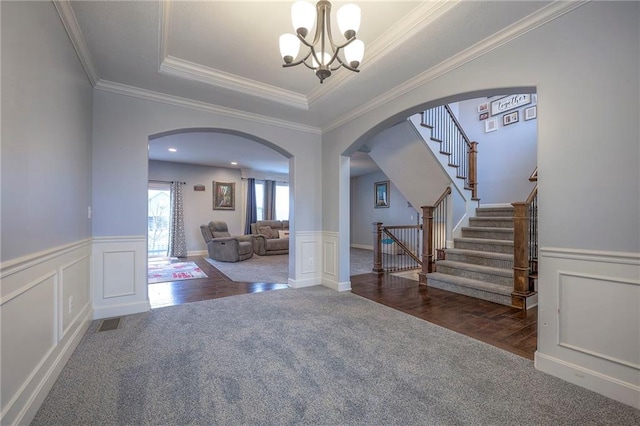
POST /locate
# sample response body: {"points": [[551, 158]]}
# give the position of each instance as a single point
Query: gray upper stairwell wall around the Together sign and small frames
{"points": [[506, 157]]}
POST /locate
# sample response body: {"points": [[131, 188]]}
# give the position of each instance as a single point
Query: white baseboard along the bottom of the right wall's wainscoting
{"points": [[618, 390]]}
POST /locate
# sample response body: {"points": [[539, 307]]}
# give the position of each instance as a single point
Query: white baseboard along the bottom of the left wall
{"points": [[37, 397]]}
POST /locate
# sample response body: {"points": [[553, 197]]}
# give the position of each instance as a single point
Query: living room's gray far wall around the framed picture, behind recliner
{"points": [[198, 205]]}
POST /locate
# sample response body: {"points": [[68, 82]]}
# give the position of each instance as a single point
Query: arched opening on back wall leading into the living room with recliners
{"points": [[221, 173]]}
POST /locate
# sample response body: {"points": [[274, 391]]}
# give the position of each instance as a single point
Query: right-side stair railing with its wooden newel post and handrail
{"points": [[525, 246]]}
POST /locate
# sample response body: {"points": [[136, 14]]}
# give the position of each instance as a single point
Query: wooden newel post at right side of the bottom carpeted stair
{"points": [[520, 255]]}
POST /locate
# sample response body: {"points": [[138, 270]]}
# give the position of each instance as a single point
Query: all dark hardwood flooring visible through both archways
{"points": [[489, 322]]}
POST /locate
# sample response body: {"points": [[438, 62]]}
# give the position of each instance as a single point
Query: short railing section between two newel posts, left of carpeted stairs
{"points": [[396, 247]]}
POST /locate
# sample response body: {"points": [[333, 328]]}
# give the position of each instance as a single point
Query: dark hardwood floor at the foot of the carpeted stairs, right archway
{"points": [[495, 324]]}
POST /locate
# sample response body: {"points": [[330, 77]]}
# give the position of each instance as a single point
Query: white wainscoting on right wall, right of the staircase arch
{"points": [[588, 316]]}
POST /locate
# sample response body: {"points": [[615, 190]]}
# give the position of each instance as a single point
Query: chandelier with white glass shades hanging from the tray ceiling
{"points": [[323, 55]]}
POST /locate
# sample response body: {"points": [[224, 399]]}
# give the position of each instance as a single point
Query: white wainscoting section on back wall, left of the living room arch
{"points": [[119, 276]]}
